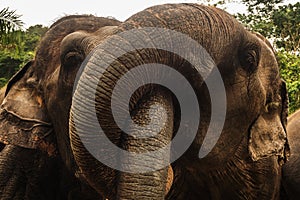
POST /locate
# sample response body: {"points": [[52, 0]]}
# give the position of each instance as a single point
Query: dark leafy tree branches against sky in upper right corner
{"points": [[279, 23]]}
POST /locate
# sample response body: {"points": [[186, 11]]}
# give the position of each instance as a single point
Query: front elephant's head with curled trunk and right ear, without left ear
{"points": [[246, 160]]}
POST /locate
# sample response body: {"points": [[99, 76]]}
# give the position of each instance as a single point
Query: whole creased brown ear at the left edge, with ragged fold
{"points": [[23, 118]]}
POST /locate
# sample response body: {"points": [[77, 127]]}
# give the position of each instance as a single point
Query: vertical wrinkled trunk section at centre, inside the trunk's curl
{"points": [[151, 185]]}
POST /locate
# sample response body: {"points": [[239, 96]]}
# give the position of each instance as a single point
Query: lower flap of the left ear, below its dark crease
{"points": [[26, 132]]}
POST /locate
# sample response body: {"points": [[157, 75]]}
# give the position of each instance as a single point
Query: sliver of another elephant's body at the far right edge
{"points": [[291, 169]]}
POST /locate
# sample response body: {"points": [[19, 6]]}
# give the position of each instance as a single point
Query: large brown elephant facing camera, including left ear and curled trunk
{"points": [[245, 163]]}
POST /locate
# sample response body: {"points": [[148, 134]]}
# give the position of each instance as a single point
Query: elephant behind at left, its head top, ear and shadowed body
{"points": [[31, 166]]}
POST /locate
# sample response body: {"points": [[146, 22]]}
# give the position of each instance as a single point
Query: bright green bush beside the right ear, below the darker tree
{"points": [[289, 68]]}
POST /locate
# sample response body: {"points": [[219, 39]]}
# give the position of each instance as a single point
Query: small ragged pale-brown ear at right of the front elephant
{"points": [[268, 134]]}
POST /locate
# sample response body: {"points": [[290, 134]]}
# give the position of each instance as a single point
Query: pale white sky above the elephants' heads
{"points": [[46, 12]]}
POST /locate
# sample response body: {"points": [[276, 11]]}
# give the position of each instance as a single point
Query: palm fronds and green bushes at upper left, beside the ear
{"points": [[17, 45]]}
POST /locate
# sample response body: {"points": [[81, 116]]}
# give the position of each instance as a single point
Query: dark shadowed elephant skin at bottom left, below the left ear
{"points": [[27, 174]]}
